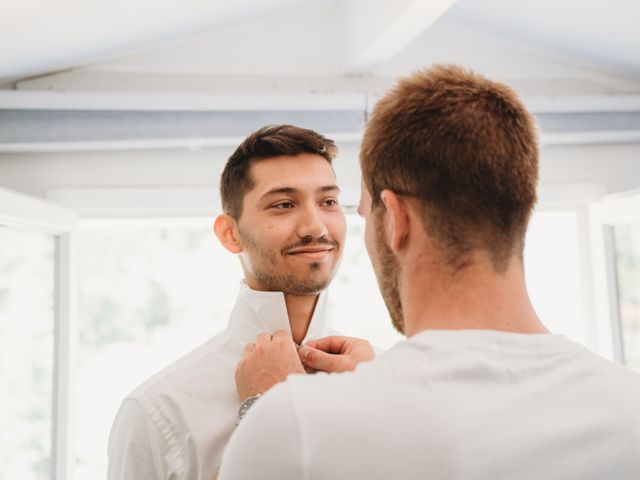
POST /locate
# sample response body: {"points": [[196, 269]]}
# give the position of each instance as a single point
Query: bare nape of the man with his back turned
{"points": [[475, 298]]}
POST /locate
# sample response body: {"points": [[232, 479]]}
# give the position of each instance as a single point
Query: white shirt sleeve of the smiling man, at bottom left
{"points": [[137, 448]]}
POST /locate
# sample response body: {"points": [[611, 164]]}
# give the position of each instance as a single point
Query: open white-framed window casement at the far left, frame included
{"points": [[36, 326]]}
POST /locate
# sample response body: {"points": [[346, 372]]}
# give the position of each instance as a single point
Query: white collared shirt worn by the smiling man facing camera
{"points": [[176, 424]]}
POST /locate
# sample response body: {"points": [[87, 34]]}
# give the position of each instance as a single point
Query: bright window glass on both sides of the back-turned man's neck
{"points": [[552, 270]]}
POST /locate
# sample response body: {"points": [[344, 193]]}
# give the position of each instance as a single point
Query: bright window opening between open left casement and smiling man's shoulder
{"points": [[148, 294]]}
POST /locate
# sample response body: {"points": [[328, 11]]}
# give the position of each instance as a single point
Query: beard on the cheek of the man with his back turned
{"points": [[386, 268]]}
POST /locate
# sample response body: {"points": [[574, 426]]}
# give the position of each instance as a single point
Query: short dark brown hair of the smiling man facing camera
{"points": [[268, 142]]}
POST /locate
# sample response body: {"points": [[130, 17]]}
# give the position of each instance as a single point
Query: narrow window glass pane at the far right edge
{"points": [[627, 250]]}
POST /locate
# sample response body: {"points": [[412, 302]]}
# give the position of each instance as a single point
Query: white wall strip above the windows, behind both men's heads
{"points": [[613, 167]]}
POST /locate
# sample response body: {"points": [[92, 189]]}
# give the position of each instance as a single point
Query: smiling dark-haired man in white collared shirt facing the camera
{"points": [[284, 221]]}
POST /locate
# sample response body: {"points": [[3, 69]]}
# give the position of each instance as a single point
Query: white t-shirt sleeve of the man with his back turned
{"points": [[267, 442]]}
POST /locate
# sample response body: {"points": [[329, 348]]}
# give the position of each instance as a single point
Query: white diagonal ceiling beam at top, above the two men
{"points": [[378, 30]]}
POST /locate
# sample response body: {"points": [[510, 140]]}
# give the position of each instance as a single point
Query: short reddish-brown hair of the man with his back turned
{"points": [[466, 148]]}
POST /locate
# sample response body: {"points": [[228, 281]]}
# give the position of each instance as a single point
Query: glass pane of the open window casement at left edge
{"points": [[26, 353]]}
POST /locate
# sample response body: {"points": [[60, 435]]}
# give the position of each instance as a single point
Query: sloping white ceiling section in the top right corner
{"points": [[604, 34]]}
